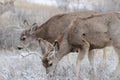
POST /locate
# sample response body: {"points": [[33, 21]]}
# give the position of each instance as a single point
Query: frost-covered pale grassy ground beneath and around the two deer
{"points": [[13, 66]]}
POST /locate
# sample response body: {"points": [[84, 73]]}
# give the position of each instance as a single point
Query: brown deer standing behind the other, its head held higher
{"points": [[52, 28]]}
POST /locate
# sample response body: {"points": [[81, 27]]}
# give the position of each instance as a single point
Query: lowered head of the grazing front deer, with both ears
{"points": [[48, 54]]}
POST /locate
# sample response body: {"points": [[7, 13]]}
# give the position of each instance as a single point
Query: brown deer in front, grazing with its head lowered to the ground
{"points": [[94, 32]]}
